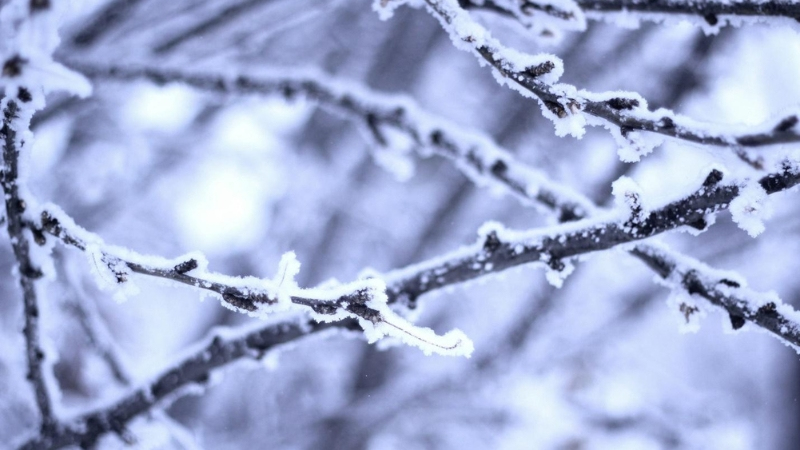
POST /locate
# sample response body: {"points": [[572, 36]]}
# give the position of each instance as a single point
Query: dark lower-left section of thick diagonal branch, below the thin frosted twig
{"points": [[192, 371]]}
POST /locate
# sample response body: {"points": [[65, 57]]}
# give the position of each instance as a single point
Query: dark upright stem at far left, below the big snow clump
{"points": [[12, 134]]}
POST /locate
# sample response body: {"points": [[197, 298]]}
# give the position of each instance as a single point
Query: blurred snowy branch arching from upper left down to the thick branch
{"points": [[382, 116]]}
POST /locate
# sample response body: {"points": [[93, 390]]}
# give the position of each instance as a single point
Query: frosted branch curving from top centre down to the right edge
{"points": [[625, 114]]}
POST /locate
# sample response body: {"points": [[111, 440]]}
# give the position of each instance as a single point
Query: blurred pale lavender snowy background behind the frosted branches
{"points": [[599, 363]]}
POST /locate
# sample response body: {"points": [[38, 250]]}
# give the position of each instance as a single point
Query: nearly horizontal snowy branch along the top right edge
{"points": [[708, 11]]}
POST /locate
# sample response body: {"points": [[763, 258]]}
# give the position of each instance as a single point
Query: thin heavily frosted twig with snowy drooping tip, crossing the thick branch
{"points": [[364, 300]]}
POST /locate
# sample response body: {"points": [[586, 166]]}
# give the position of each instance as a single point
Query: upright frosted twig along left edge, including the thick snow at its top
{"points": [[29, 36]]}
